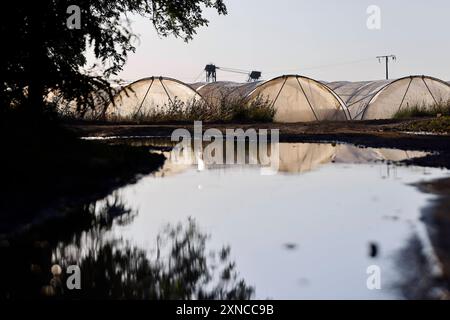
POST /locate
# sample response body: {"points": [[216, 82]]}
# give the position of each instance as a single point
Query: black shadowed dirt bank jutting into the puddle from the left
{"points": [[43, 176]]}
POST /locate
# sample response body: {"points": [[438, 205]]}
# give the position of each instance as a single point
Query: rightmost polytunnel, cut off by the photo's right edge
{"points": [[383, 99]]}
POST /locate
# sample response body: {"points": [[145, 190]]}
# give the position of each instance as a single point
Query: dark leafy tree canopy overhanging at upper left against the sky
{"points": [[40, 53]]}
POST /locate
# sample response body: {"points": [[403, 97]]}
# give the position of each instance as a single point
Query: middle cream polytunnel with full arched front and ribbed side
{"points": [[295, 98]]}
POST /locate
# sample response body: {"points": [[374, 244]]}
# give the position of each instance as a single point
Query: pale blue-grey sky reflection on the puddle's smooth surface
{"points": [[292, 236]]}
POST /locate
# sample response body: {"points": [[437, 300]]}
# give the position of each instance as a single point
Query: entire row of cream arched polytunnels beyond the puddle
{"points": [[294, 98]]}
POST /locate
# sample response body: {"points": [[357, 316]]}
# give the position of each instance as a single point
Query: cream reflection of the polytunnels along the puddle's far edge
{"points": [[293, 157]]}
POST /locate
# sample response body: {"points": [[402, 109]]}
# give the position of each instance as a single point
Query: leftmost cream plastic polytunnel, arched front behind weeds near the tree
{"points": [[150, 95]]}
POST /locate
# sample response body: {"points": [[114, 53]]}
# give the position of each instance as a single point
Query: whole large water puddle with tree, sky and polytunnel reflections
{"points": [[312, 231]]}
